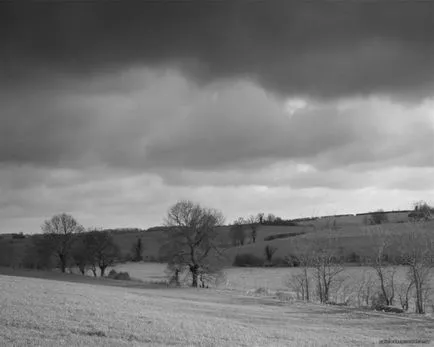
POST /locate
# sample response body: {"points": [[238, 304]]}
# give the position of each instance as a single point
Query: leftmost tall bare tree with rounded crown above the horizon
{"points": [[61, 230]]}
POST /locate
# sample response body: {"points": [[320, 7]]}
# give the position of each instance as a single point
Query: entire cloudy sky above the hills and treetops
{"points": [[113, 111]]}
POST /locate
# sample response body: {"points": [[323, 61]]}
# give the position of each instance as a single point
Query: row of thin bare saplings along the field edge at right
{"points": [[321, 270]]}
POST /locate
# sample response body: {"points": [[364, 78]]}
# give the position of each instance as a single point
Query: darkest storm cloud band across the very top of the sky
{"points": [[327, 48]]}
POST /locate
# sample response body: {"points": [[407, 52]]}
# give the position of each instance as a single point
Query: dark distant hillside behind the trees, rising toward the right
{"points": [[350, 233]]}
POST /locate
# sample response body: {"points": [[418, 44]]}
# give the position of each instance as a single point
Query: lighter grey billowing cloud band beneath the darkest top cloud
{"points": [[165, 122]]}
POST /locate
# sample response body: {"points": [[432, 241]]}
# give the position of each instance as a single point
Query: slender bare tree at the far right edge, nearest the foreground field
{"points": [[418, 254]]}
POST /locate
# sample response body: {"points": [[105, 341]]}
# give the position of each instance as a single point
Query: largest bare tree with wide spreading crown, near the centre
{"points": [[192, 241]]}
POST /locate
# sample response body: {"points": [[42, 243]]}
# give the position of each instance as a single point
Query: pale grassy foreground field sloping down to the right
{"points": [[43, 312]]}
